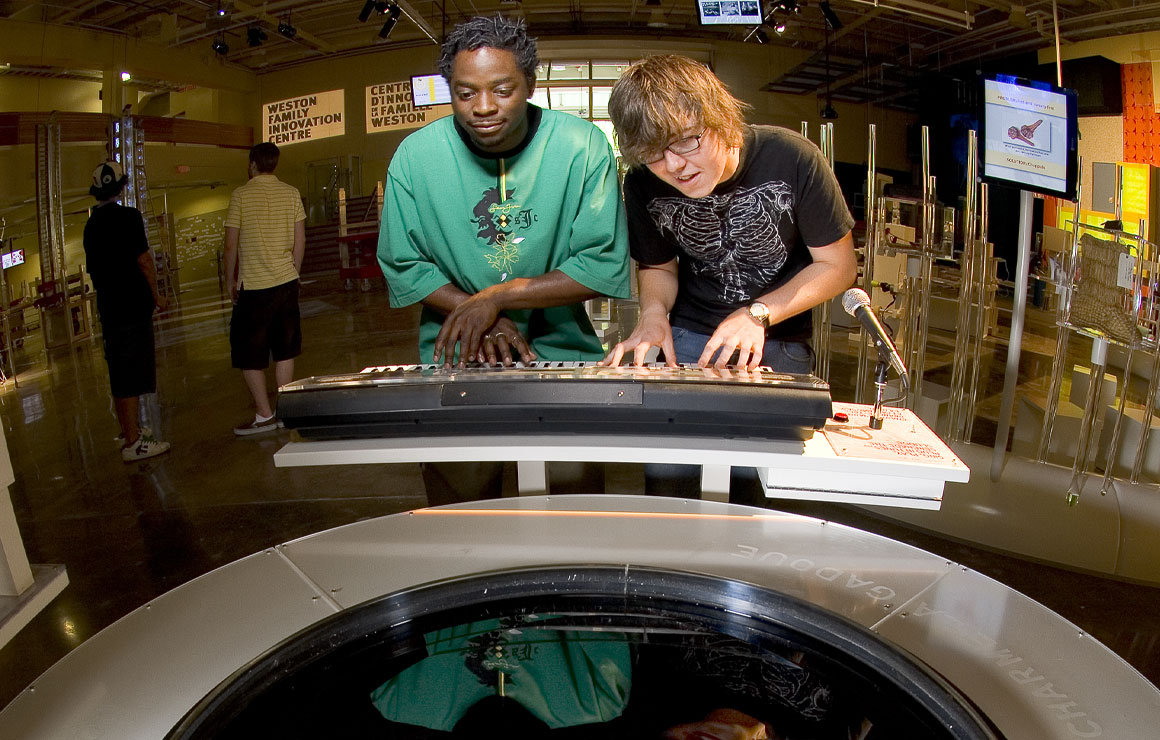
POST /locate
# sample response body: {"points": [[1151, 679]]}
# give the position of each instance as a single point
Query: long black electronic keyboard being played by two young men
{"points": [[556, 398]]}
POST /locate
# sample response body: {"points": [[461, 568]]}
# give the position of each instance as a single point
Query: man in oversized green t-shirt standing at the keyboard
{"points": [[502, 221]]}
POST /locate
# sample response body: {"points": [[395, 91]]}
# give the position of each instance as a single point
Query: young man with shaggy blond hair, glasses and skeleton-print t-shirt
{"points": [[738, 230]]}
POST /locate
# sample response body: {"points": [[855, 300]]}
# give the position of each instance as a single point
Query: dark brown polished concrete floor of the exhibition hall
{"points": [[130, 533]]}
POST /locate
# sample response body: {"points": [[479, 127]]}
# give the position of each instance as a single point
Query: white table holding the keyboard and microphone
{"points": [[904, 465]]}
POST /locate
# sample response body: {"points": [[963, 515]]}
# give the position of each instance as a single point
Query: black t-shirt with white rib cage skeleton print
{"points": [[748, 237]]}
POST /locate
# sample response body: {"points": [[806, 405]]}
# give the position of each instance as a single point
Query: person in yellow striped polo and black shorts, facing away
{"points": [[265, 242]]}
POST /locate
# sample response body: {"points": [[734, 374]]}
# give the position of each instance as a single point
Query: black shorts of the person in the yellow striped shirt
{"points": [[265, 325]]}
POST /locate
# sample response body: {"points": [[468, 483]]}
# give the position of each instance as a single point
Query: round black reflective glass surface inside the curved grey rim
{"points": [[586, 652]]}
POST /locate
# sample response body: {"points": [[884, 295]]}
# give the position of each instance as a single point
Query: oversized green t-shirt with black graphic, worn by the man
{"points": [[445, 221]]}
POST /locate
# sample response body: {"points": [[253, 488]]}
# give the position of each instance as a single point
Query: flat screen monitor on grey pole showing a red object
{"points": [[1031, 136]]}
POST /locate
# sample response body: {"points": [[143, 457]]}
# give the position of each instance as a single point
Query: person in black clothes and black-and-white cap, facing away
{"points": [[121, 265]]}
